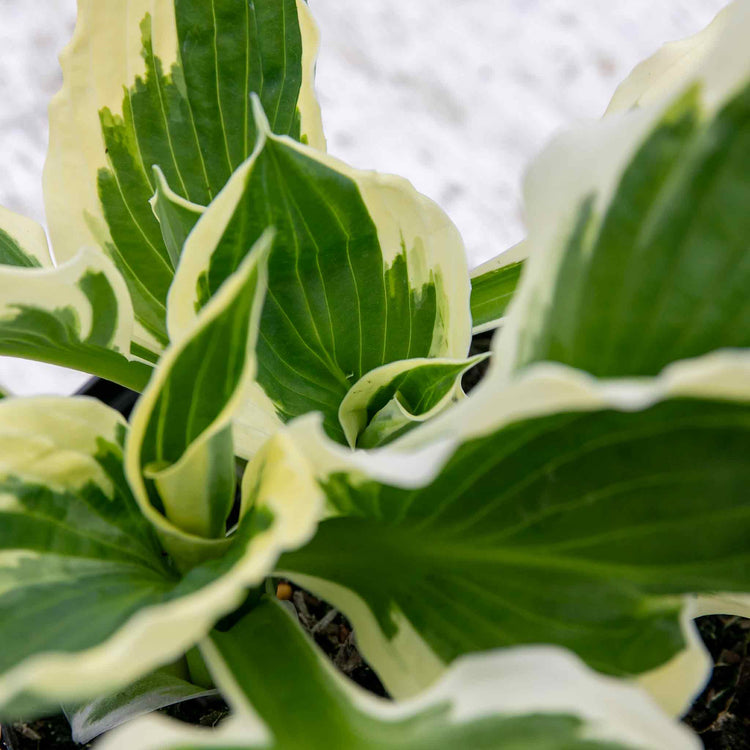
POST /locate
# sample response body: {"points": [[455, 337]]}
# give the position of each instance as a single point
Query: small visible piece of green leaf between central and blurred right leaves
{"points": [[493, 285]]}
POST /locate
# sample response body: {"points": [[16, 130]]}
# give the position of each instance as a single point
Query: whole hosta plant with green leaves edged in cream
{"points": [[521, 566]]}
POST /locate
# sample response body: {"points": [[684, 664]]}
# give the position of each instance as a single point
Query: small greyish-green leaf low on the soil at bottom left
{"points": [[158, 690]]}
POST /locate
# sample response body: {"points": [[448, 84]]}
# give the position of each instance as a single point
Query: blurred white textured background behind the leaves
{"points": [[456, 95]]}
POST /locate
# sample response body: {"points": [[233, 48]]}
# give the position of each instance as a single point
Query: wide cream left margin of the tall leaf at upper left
{"points": [[103, 56]]}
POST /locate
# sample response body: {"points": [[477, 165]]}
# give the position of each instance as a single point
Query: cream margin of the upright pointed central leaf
{"points": [[399, 212]]}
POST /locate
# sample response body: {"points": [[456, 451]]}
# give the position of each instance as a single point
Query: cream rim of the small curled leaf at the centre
{"points": [[353, 409]]}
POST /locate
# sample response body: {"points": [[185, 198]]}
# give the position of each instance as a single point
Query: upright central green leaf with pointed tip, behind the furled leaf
{"points": [[364, 271]]}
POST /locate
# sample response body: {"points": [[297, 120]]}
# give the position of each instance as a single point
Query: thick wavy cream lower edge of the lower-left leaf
{"points": [[160, 634]]}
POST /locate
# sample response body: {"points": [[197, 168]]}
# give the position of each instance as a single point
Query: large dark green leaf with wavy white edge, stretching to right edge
{"points": [[573, 512]]}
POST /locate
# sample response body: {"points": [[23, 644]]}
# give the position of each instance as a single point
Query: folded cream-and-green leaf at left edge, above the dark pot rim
{"points": [[77, 315]]}
